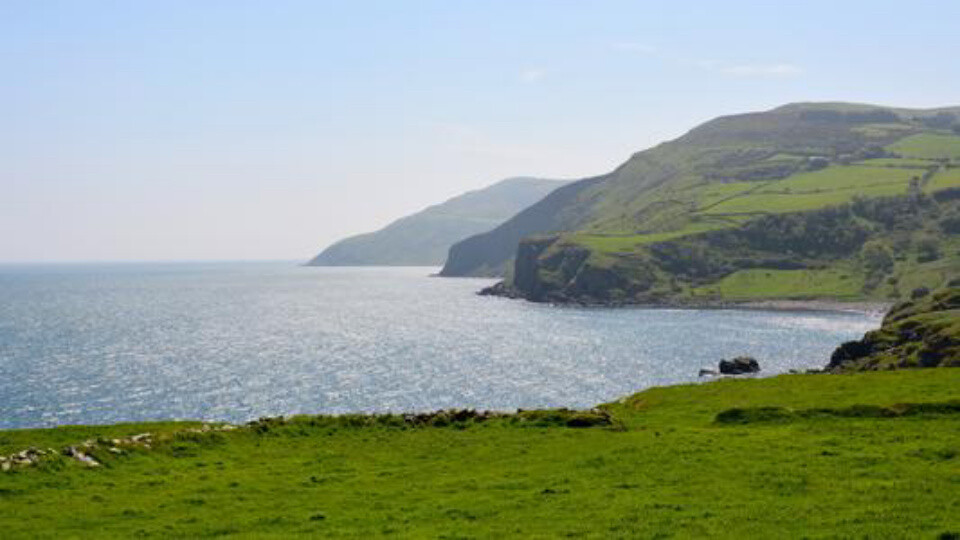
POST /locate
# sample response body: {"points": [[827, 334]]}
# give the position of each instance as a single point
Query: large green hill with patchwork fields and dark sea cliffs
{"points": [[810, 200]]}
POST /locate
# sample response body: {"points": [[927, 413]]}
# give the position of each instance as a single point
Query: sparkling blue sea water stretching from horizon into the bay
{"points": [[101, 343]]}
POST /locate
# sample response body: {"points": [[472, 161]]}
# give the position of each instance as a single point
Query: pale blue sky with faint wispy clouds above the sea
{"points": [[247, 130]]}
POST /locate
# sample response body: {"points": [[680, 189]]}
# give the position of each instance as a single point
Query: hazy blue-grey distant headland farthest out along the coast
{"points": [[424, 238]]}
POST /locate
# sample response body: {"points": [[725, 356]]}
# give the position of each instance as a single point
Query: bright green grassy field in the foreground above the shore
{"points": [[667, 468]]}
